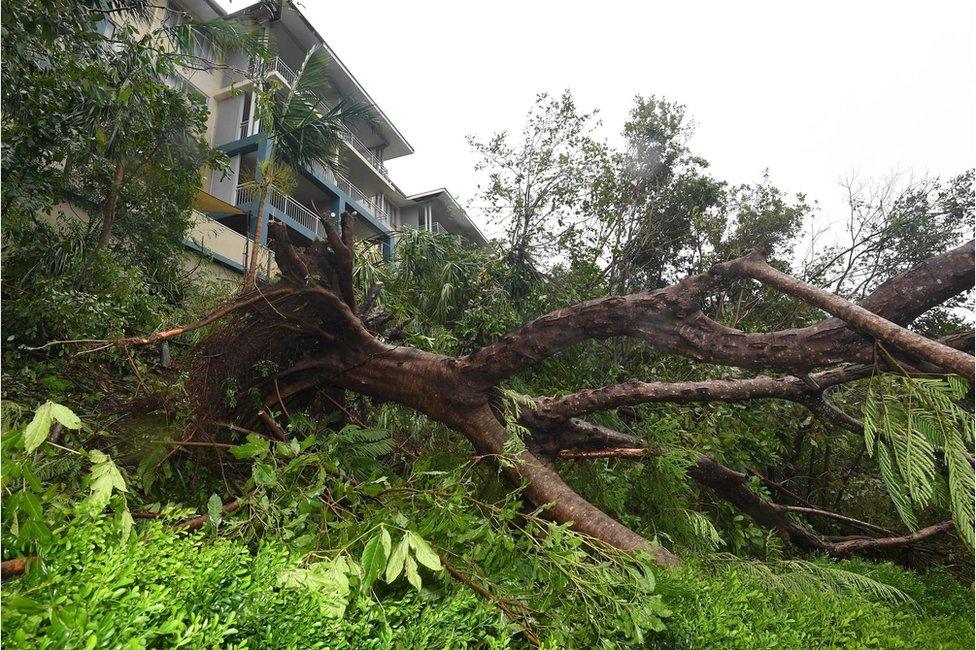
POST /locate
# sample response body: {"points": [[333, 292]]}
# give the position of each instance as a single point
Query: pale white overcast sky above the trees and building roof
{"points": [[813, 91]]}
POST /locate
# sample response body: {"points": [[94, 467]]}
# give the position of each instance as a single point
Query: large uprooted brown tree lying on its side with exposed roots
{"points": [[323, 342]]}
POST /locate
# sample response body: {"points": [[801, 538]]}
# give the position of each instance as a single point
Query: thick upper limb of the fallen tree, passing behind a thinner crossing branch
{"points": [[670, 320]]}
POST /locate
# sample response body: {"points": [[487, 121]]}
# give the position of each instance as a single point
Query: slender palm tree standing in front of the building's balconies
{"points": [[301, 129]]}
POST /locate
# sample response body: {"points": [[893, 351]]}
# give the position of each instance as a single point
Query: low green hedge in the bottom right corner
{"points": [[736, 606]]}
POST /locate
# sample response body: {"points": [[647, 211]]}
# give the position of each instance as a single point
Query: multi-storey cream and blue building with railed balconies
{"points": [[226, 212]]}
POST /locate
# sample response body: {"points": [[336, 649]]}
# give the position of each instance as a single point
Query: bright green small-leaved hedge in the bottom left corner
{"points": [[165, 589]]}
